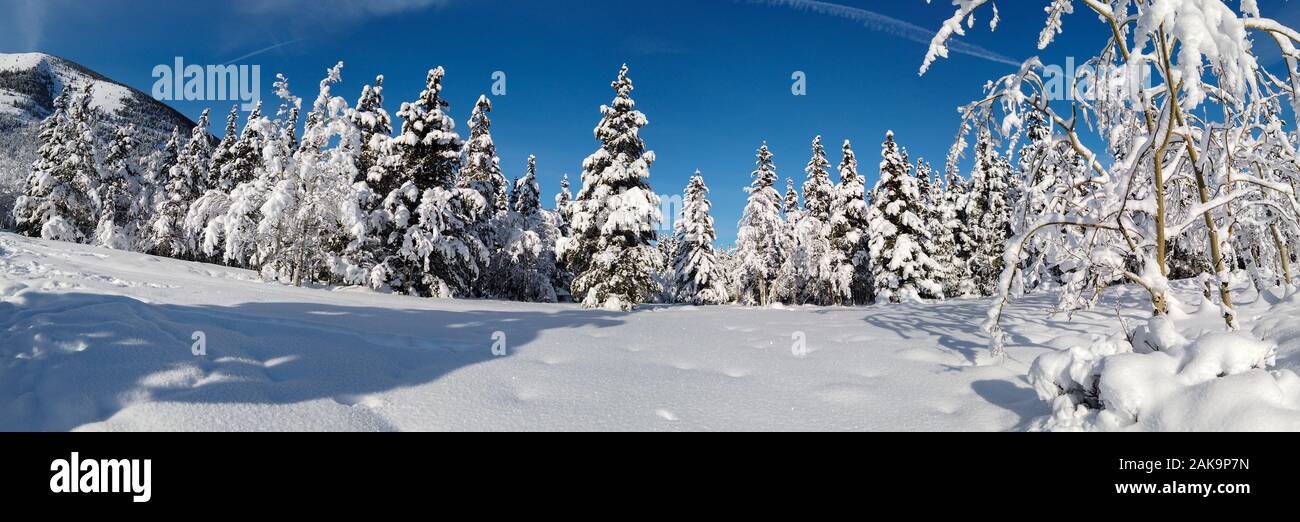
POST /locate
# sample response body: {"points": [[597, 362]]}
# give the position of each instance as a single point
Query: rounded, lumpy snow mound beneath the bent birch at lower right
{"points": [[1167, 382]]}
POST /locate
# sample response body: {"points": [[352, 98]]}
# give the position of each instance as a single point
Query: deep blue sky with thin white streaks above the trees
{"points": [[712, 76]]}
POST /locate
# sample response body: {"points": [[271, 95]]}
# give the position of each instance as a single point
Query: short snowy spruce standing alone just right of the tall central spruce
{"points": [[699, 275]]}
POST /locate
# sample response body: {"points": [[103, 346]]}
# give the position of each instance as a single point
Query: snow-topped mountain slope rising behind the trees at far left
{"points": [[29, 85]]}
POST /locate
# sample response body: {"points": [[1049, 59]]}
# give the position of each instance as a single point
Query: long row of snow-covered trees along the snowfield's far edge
{"points": [[349, 199]]}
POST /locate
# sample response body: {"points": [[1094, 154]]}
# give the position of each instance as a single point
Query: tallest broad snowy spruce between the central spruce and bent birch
{"points": [[902, 268]]}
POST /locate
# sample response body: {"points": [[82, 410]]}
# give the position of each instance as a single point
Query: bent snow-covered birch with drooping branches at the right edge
{"points": [[1156, 184]]}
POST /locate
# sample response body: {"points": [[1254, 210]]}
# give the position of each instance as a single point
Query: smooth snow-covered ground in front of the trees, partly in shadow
{"points": [[96, 340]]}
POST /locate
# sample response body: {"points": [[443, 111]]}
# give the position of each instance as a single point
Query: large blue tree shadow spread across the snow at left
{"points": [[73, 359]]}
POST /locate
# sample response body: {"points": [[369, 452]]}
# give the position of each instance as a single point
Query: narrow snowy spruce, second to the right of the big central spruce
{"points": [[760, 240]]}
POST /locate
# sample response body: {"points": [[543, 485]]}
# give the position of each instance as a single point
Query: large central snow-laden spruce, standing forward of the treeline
{"points": [[616, 215]]}
